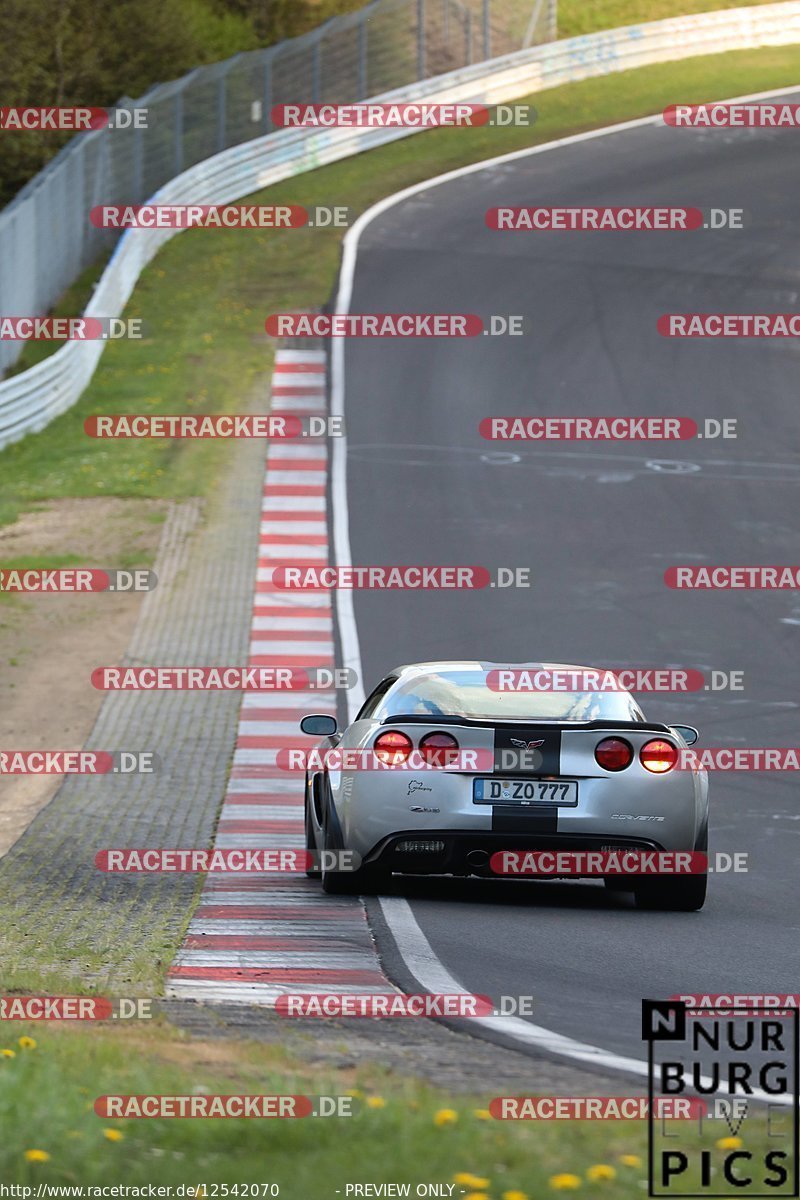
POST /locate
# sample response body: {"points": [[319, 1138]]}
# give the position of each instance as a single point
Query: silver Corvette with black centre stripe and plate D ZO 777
{"points": [[444, 769]]}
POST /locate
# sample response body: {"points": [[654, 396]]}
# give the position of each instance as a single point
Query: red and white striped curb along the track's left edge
{"points": [[255, 938]]}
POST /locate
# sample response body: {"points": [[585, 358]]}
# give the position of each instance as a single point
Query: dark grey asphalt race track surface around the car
{"points": [[598, 524]]}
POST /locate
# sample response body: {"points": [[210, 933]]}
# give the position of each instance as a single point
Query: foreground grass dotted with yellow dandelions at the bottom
{"points": [[47, 1097]]}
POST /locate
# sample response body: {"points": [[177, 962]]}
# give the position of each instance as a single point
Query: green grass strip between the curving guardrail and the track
{"points": [[206, 297]]}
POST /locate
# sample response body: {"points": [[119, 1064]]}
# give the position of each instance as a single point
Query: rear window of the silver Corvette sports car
{"points": [[467, 694]]}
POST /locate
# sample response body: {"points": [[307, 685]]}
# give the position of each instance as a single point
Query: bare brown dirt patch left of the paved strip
{"points": [[50, 644]]}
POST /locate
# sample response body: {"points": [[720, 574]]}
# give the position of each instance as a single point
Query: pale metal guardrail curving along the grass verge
{"points": [[33, 399]]}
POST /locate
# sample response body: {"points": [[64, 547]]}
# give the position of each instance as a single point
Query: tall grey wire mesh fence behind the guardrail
{"points": [[46, 237]]}
